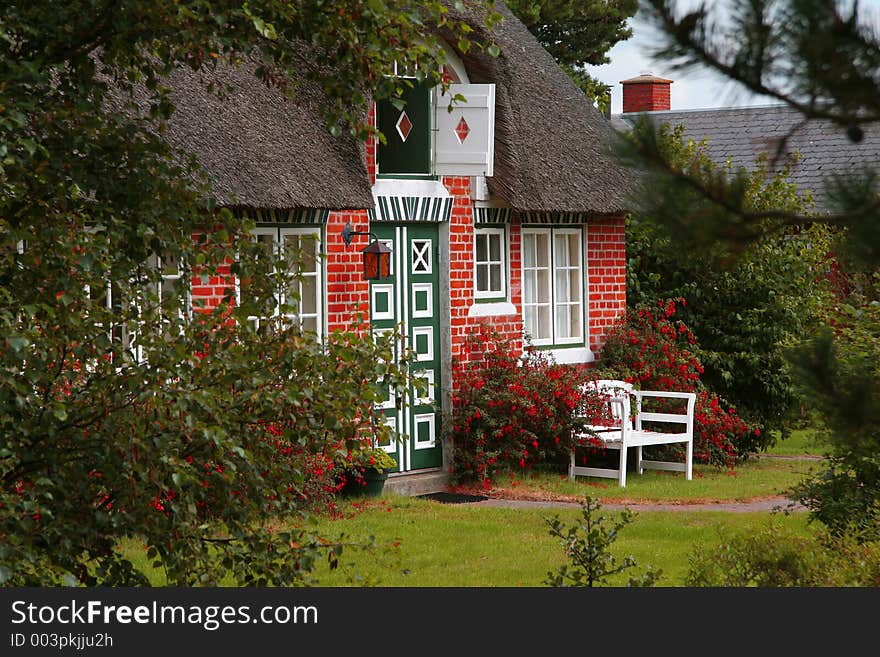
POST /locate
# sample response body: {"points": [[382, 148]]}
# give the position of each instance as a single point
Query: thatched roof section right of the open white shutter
{"points": [[550, 142]]}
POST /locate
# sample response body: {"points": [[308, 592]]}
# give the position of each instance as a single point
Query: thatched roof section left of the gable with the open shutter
{"points": [[261, 149]]}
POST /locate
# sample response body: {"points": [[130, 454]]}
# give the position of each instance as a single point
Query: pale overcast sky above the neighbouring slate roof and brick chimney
{"points": [[691, 91]]}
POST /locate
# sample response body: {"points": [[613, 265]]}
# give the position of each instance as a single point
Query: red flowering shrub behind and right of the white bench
{"points": [[655, 352]]}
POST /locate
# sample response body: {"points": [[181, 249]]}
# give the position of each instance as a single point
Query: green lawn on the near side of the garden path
{"points": [[429, 544]]}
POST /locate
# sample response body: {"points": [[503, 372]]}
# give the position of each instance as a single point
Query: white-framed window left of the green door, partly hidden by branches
{"points": [[299, 298]]}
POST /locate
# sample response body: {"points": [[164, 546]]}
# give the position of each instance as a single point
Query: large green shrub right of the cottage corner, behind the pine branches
{"points": [[747, 301]]}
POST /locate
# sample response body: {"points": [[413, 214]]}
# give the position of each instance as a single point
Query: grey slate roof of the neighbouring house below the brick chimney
{"points": [[743, 133]]}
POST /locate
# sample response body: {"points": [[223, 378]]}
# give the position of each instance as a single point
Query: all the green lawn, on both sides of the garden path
{"points": [[428, 544]]}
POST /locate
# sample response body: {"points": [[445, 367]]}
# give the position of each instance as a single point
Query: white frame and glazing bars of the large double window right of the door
{"points": [[552, 268]]}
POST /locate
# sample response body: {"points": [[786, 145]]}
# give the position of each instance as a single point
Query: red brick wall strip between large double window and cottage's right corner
{"points": [[606, 276]]}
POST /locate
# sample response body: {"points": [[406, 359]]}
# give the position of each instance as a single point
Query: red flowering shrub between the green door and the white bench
{"points": [[509, 411]]}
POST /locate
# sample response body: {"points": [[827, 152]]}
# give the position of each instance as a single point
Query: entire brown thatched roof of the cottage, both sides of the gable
{"points": [[262, 150]]}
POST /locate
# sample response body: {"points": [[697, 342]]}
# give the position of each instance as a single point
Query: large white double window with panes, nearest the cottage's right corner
{"points": [[553, 285]]}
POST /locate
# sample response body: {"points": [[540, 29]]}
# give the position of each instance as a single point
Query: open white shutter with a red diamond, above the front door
{"points": [[464, 143]]}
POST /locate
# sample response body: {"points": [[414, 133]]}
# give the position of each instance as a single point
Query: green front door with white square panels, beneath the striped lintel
{"points": [[410, 300]]}
